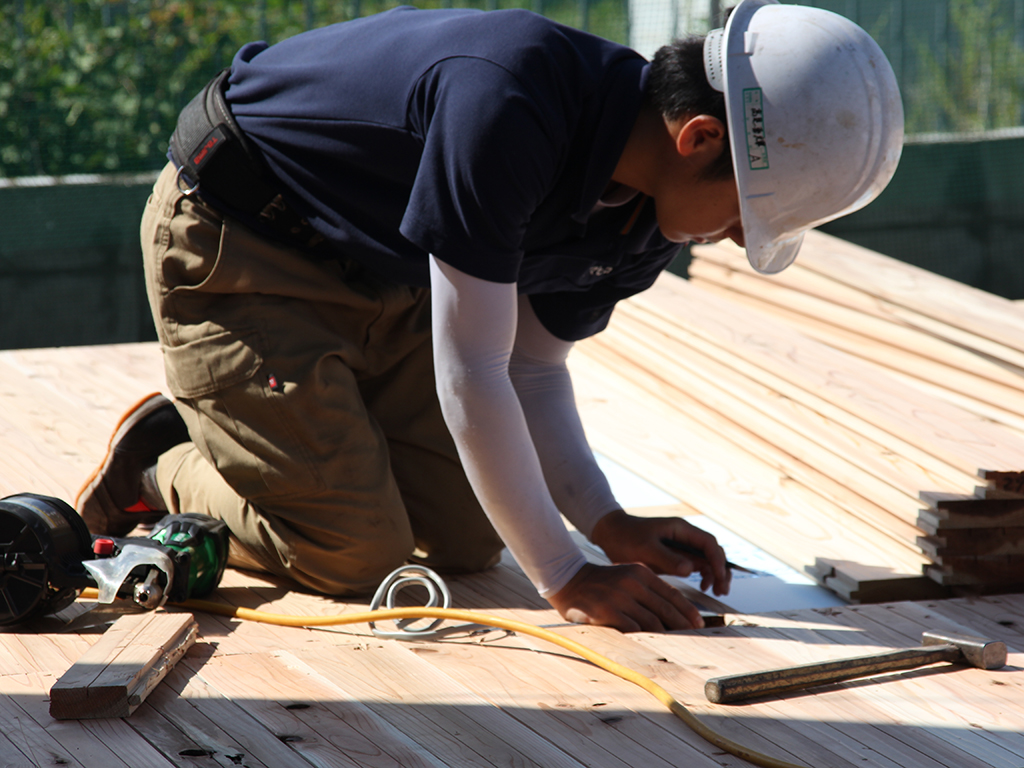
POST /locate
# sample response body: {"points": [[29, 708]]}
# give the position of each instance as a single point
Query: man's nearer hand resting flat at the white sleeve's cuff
{"points": [[630, 599]]}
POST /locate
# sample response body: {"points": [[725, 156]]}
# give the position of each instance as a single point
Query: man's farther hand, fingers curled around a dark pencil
{"points": [[626, 538]]}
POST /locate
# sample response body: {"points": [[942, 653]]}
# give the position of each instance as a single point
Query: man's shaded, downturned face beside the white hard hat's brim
{"points": [[701, 211]]}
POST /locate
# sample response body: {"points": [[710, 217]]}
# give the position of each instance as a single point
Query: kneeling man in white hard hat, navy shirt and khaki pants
{"points": [[377, 242]]}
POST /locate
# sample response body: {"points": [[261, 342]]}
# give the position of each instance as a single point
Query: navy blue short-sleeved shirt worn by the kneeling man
{"points": [[486, 139]]}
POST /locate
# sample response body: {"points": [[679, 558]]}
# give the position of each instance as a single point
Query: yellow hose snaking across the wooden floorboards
{"points": [[455, 615]]}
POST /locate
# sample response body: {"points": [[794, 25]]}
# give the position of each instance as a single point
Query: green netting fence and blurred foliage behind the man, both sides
{"points": [[90, 92]]}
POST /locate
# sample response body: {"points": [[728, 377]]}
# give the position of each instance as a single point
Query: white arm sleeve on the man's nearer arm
{"points": [[475, 330]]}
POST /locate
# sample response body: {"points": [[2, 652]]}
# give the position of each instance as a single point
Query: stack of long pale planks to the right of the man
{"points": [[814, 412]]}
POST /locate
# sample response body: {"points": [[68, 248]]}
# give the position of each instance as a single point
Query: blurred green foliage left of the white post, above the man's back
{"points": [[95, 87]]}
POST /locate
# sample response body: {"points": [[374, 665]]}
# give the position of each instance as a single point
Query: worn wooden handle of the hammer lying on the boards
{"points": [[739, 688]]}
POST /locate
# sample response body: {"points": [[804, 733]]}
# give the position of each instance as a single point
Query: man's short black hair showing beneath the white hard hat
{"points": [[677, 87]]}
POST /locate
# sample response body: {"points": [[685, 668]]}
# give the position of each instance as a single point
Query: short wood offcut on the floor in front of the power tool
{"points": [[116, 675]]}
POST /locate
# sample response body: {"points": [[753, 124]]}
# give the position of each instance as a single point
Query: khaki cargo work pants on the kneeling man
{"points": [[309, 392]]}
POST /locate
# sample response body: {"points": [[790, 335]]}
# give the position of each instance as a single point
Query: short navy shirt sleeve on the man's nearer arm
{"points": [[492, 150]]}
